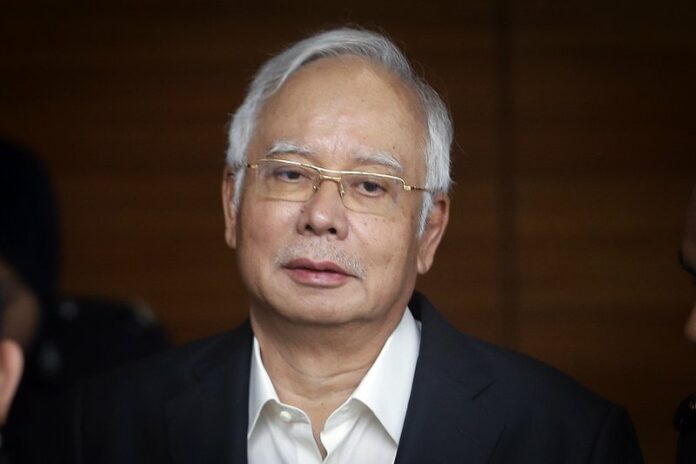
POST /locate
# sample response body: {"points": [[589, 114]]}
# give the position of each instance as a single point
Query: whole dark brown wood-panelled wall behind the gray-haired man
{"points": [[575, 155]]}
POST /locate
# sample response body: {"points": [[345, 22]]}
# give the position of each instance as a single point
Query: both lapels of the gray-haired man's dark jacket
{"points": [[445, 421]]}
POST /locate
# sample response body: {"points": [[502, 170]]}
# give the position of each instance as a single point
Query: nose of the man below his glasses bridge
{"points": [[324, 213]]}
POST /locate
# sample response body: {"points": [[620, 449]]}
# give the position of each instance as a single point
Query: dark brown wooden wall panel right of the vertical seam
{"points": [[606, 159]]}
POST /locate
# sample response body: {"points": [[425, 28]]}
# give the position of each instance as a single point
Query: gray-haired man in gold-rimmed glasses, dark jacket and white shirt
{"points": [[335, 199]]}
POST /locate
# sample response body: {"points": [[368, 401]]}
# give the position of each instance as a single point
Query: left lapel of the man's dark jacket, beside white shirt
{"points": [[207, 421]]}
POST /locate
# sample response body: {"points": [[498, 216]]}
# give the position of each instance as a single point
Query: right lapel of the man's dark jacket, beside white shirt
{"points": [[446, 420]]}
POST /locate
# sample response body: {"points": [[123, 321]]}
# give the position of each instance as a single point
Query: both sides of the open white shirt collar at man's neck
{"points": [[385, 389]]}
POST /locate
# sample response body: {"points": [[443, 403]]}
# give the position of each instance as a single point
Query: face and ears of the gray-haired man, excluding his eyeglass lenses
{"points": [[316, 262]]}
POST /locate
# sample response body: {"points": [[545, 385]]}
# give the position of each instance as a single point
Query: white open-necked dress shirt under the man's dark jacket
{"points": [[365, 429]]}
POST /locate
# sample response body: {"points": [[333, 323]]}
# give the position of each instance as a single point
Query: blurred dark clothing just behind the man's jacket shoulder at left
{"points": [[80, 338]]}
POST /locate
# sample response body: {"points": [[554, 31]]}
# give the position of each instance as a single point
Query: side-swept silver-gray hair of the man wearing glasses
{"points": [[339, 42]]}
